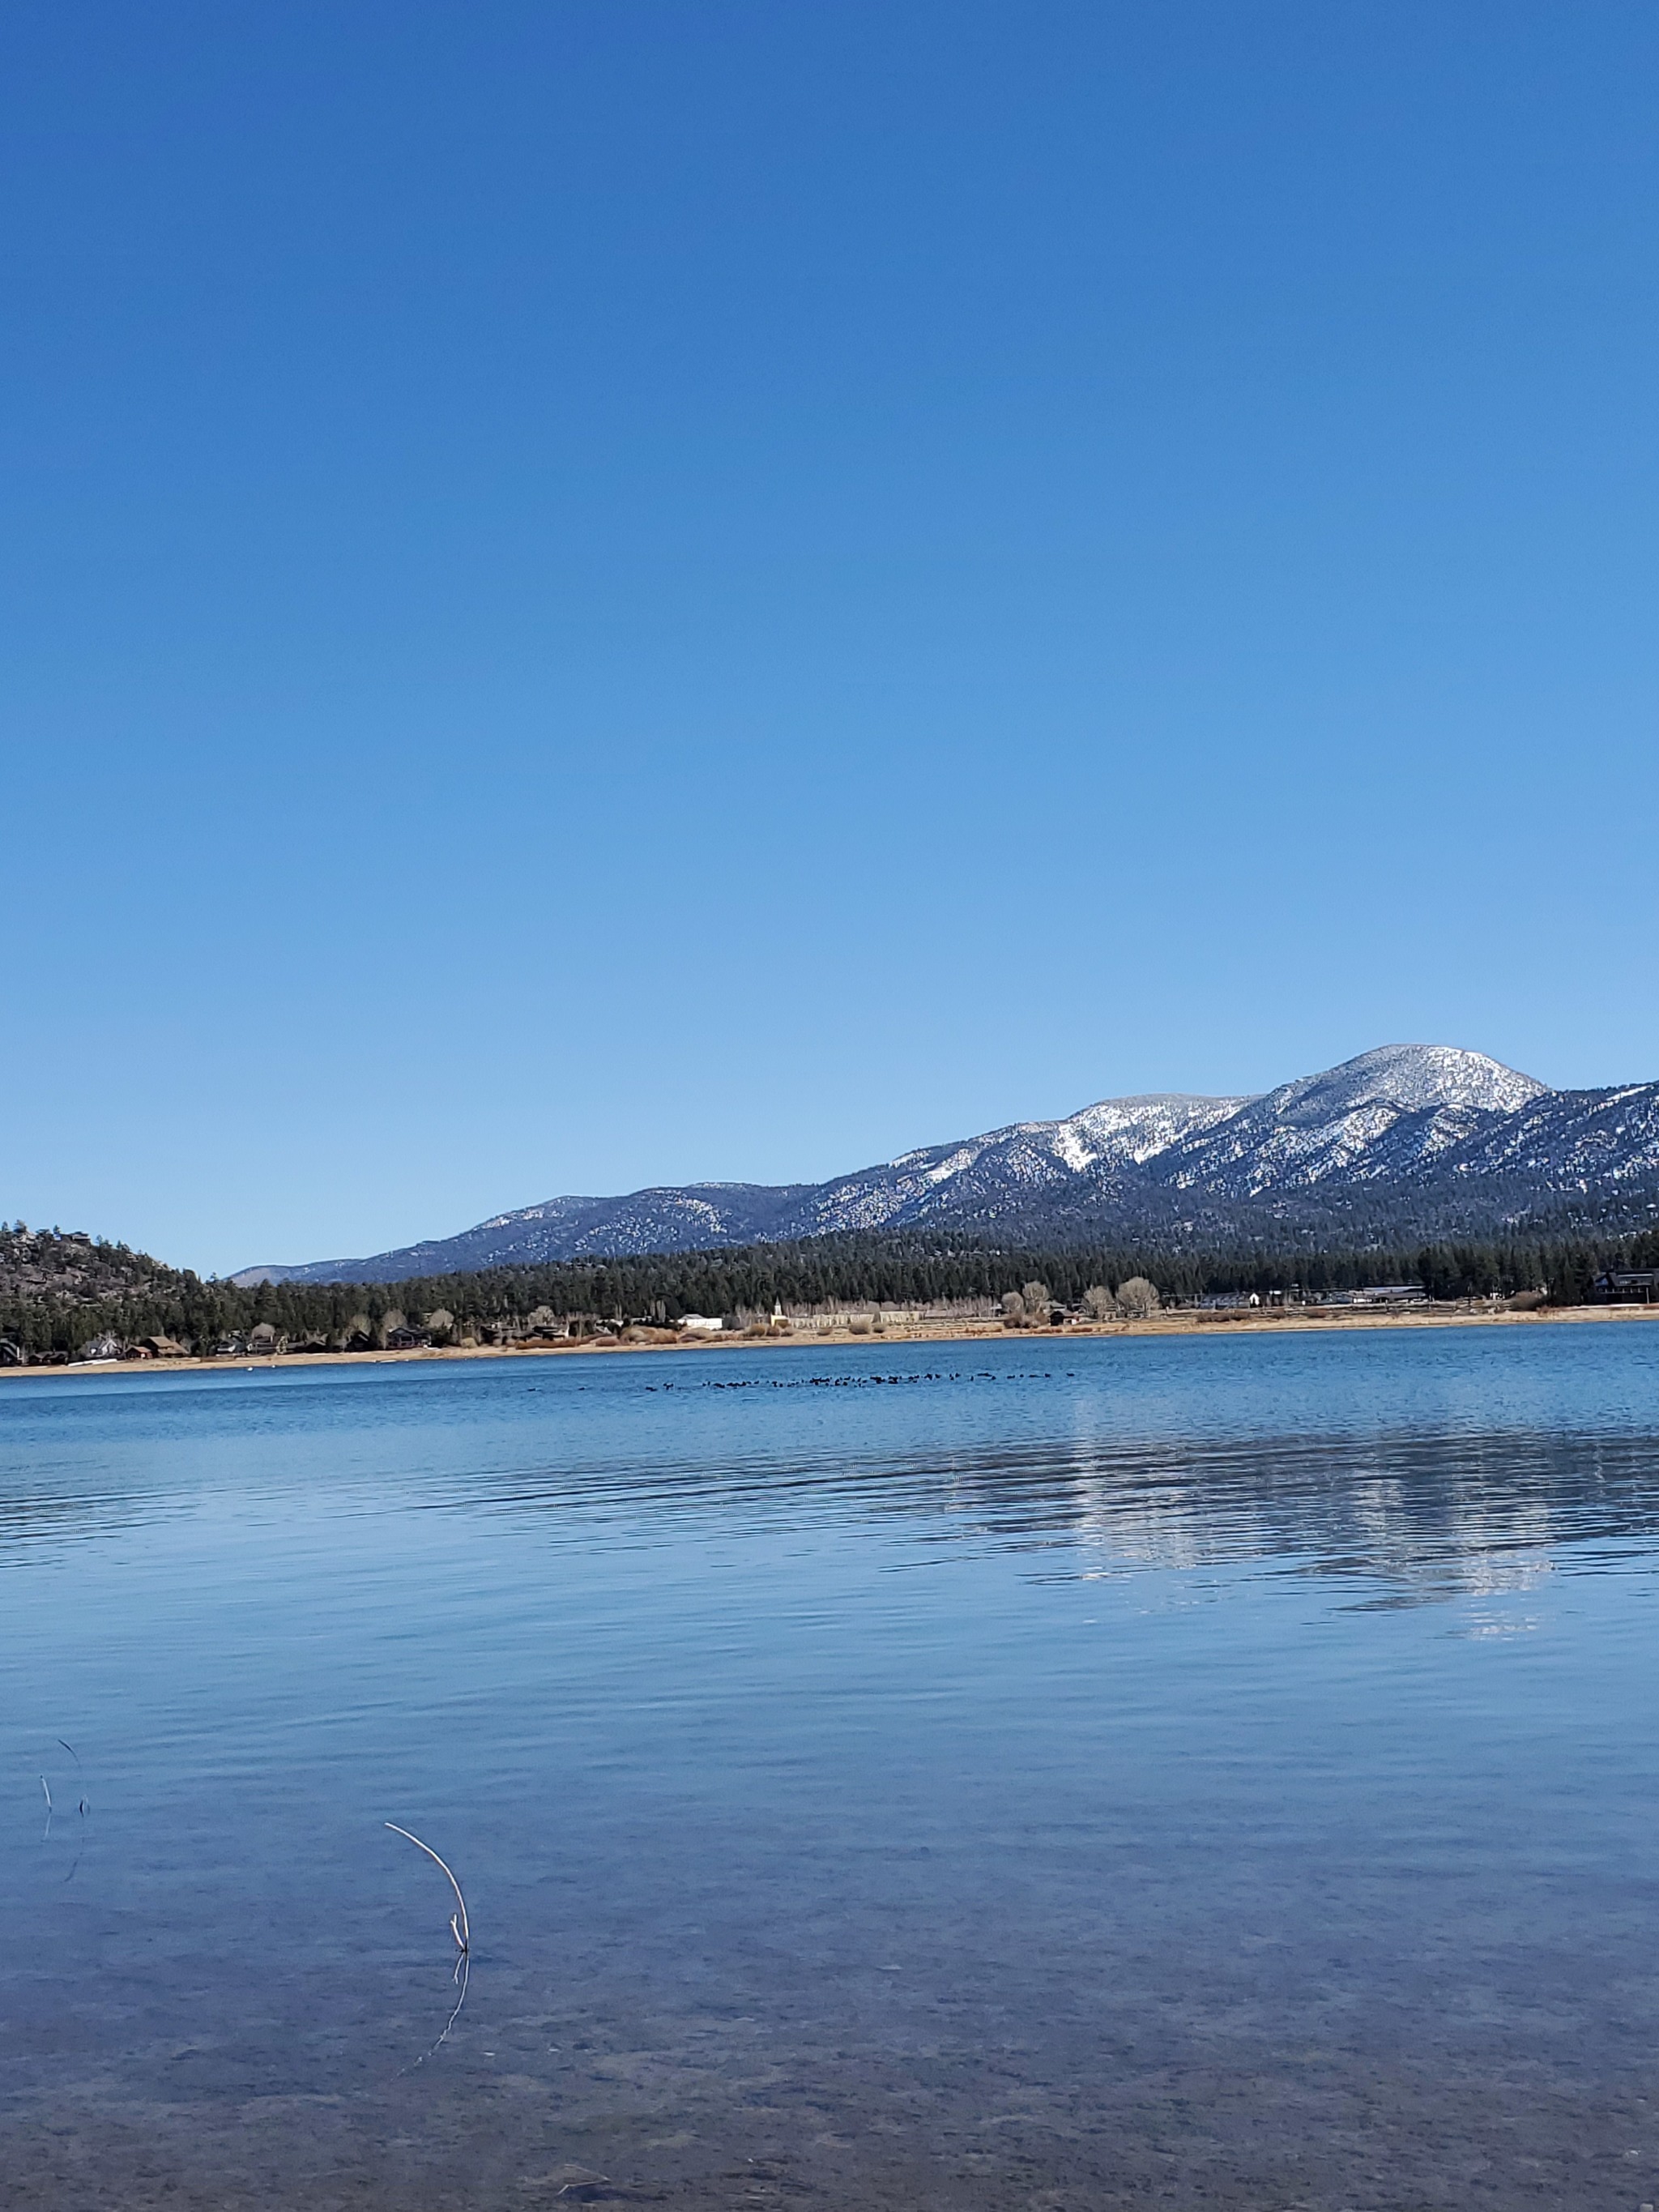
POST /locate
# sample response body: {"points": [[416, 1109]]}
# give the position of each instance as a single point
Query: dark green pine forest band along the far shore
{"points": [[63, 1293]]}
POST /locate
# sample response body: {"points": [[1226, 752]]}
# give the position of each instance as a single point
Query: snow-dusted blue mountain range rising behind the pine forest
{"points": [[1401, 1140]]}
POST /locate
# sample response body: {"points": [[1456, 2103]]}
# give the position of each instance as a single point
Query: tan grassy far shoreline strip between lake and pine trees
{"points": [[1266, 1322]]}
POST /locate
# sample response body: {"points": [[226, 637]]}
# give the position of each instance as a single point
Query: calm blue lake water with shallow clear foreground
{"points": [[1056, 1775]]}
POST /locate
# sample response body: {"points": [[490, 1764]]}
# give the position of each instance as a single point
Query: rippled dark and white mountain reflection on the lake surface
{"points": [[1426, 1516]]}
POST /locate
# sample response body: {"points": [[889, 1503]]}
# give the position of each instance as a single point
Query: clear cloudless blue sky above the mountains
{"points": [[647, 592]]}
